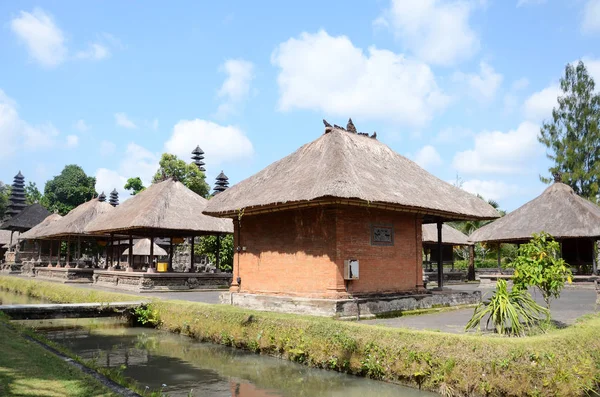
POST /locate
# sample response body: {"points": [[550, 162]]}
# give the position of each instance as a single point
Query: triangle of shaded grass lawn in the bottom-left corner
{"points": [[27, 369]]}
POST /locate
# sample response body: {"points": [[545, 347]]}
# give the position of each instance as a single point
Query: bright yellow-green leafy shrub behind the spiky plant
{"points": [[540, 265]]}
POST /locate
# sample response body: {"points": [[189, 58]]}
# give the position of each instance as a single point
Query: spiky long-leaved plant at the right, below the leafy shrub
{"points": [[511, 313]]}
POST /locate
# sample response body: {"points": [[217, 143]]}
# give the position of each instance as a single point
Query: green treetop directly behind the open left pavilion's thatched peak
{"points": [[172, 167]]}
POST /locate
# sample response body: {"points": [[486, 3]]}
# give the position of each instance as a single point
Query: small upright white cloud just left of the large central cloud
{"points": [[236, 87]]}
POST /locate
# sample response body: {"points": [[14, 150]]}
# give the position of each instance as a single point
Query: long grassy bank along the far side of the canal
{"points": [[561, 362]]}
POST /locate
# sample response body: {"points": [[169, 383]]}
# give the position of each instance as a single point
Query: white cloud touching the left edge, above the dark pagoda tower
{"points": [[17, 134]]}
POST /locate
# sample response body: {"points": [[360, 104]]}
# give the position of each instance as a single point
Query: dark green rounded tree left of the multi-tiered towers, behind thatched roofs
{"points": [[68, 190]]}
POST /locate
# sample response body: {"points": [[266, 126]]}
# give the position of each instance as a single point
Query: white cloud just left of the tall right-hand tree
{"points": [[501, 152]]}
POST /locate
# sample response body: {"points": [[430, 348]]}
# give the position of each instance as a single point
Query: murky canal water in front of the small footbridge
{"points": [[154, 358]]}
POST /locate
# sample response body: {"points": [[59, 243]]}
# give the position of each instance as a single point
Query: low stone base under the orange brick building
{"points": [[363, 307]]}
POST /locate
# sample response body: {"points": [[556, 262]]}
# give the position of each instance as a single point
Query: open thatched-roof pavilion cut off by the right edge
{"points": [[559, 211]]}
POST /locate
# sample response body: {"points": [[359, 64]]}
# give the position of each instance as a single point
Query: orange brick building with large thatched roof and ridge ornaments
{"points": [[339, 218]]}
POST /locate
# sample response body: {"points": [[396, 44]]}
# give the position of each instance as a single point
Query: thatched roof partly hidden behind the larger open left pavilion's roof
{"points": [[74, 223]]}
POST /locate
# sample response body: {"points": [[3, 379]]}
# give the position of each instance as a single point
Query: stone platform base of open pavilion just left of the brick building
{"points": [[142, 281]]}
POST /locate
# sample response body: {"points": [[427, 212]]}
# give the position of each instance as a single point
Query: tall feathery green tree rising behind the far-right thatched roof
{"points": [[573, 134]]}
